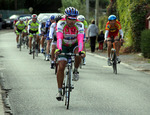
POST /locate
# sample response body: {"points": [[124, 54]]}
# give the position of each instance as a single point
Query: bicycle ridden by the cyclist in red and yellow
{"points": [[113, 55]]}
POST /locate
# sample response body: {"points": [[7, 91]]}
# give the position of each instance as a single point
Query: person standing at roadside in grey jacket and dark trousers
{"points": [[92, 33]]}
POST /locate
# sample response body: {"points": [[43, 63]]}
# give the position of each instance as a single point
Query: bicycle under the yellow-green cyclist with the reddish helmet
{"points": [[34, 46]]}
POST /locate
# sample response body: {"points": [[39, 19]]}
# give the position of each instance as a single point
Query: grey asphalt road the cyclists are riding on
{"points": [[98, 91]]}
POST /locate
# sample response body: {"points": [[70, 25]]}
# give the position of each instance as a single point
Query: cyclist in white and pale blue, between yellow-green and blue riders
{"points": [[42, 32]]}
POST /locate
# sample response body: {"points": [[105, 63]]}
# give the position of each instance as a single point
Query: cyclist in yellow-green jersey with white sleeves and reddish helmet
{"points": [[33, 26]]}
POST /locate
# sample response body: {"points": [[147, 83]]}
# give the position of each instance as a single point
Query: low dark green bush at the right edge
{"points": [[145, 43]]}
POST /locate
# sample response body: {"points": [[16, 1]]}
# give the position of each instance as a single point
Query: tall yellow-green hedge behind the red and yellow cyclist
{"points": [[132, 17]]}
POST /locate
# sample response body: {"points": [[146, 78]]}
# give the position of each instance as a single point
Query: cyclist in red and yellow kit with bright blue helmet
{"points": [[113, 28]]}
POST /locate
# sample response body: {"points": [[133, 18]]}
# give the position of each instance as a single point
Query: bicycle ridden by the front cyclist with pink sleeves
{"points": [[67, 83]]}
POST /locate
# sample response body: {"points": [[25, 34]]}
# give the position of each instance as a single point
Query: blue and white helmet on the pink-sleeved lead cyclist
{"points": [[71, 11]]}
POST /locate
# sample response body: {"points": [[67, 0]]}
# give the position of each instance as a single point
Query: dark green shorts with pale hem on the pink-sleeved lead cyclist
{"points": [[66, 49]]}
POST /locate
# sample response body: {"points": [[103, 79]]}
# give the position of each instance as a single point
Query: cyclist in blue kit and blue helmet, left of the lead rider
{"points": [[48, 24]]}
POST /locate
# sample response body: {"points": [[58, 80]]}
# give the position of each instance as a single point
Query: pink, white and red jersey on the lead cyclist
{"points": [[68, 36]]}
